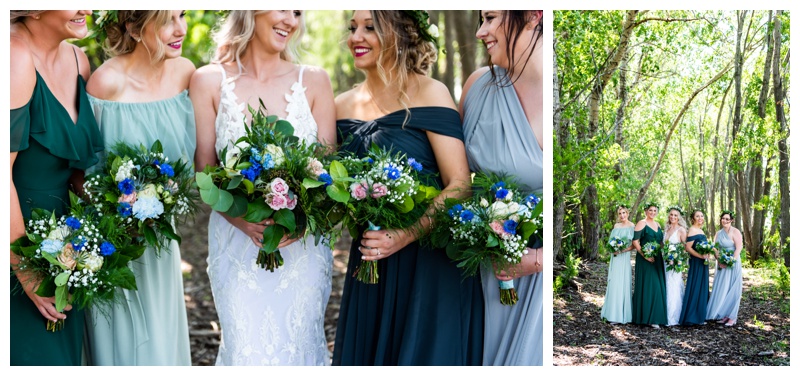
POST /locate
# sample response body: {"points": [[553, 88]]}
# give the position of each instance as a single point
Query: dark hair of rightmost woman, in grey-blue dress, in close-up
{"points": [[513, 23]]}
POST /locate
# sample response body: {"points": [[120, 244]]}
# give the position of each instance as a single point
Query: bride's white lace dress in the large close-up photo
{"points": [[267, 318]]}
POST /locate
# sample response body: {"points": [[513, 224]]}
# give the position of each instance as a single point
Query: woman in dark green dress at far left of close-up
{"points": [[54, 138]]}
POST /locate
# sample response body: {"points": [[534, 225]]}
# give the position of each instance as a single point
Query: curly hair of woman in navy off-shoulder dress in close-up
{"points": [[404, 49]]}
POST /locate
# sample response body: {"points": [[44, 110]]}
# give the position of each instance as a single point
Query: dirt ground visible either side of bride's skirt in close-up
{"points": [[204, 331]]}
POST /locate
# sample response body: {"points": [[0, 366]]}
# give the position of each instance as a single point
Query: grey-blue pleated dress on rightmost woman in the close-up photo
{"points": [[499, 139]]}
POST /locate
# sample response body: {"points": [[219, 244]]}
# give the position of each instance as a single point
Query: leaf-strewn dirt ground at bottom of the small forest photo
{"points": [[581, 337]]}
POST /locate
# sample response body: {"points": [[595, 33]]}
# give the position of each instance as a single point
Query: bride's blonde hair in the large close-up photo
{"points": [[236, 31]]}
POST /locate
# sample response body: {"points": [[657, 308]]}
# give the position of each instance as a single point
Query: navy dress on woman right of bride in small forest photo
{"points": [[695, 299]]}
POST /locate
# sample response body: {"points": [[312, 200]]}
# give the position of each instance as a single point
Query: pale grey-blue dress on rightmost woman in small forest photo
{"points": [[726, 293]]}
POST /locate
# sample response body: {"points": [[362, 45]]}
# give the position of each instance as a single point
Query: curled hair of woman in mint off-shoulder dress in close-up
{"points": [[120, 35]]}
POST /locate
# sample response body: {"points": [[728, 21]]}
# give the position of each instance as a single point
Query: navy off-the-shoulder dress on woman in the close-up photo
{"points": [[422, 311]]}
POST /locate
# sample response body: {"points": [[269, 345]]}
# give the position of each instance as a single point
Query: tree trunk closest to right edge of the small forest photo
{"points": [[783, 151]]}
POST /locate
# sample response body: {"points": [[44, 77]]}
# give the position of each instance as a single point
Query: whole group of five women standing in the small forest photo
{"points": [[659, 294]]}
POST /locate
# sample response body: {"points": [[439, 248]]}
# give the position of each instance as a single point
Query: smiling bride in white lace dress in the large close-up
{"points": [[267, 318]]}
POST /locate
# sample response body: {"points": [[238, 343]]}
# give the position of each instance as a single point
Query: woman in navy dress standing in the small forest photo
{"points": [[695, 300]]}
